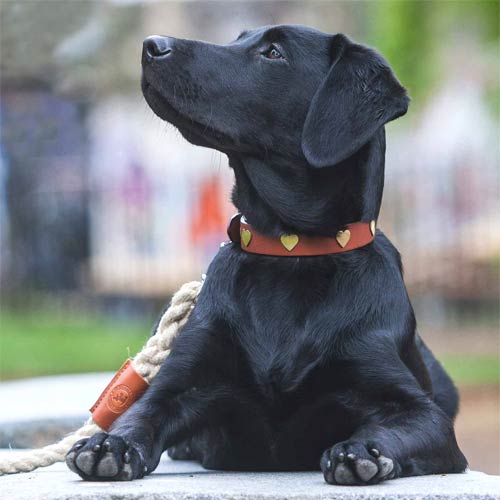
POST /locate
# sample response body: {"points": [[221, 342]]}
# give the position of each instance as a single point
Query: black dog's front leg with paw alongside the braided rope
{"points": [[182, 399]]}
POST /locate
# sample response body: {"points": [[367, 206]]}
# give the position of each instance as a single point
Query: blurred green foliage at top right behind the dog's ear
{"points": [[417, 35]]}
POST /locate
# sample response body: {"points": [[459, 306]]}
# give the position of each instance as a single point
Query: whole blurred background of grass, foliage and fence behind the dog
{"points": [[101, 203]]}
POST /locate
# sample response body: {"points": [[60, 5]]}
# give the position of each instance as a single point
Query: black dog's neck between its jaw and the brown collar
{"points": [[278, 198]]}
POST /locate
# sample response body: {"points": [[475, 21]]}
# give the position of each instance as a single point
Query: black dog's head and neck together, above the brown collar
{"points": [[282, 102]]}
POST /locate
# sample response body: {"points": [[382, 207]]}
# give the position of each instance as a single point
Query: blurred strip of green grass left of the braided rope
{"points": [[42, 344]]}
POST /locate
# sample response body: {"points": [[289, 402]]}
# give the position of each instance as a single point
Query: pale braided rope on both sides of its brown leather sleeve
{"points": [[147, 363]]}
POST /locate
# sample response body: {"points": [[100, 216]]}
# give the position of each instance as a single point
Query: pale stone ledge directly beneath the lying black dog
{"points": [[188, 481]]}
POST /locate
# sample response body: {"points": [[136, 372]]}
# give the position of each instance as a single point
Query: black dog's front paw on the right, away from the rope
{"points": [[356, 463]]}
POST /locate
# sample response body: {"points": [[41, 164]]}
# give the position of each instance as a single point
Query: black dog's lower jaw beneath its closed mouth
{"points": [[193, 130]]}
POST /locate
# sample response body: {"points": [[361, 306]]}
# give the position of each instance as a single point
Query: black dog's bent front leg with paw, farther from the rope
{"points": [[401, 431]]}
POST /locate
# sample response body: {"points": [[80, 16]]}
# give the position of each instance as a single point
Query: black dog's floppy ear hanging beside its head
{"points": [[358, 96]]}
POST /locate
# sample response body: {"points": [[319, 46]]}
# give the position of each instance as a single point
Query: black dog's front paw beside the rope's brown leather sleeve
{"points": [[104, 457]]}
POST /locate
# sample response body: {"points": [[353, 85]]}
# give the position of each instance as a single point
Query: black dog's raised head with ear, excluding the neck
{"points": [[283, 91]]}
